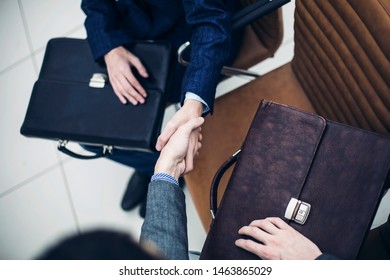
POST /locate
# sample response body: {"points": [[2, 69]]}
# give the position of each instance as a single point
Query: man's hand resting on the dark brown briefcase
{"points": [[277, 241]]}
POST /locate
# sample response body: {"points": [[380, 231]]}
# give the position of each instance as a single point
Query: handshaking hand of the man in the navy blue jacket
{"points": [[191, 109]]}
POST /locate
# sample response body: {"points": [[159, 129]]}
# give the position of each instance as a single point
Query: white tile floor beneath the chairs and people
{"points": [[45, 195]]}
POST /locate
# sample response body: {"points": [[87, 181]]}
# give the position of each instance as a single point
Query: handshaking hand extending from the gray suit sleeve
{"points": [[177, 156]]}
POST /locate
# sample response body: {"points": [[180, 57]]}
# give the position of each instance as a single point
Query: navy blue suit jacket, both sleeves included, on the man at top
{"points": [[110, 24]]}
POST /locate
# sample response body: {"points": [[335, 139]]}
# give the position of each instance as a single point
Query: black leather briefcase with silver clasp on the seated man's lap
{"points": [[73, 100]]}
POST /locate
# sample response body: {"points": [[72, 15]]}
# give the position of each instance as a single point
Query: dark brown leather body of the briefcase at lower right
{"points": [[340, 170]]}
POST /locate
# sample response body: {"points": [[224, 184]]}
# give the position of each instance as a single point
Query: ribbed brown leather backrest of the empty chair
{"points": [[341, 59]]}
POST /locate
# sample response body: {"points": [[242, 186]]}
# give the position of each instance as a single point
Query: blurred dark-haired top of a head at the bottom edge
{"points": [[97, 245]]}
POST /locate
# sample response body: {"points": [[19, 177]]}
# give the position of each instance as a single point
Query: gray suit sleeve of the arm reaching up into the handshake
{"points": [[165, 222]]}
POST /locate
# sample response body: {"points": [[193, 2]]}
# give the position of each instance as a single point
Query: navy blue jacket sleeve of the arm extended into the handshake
{"points": [[210, 22]]}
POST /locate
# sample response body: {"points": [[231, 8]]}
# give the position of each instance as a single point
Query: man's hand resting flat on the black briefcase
{"points": [[119, 62]]}
